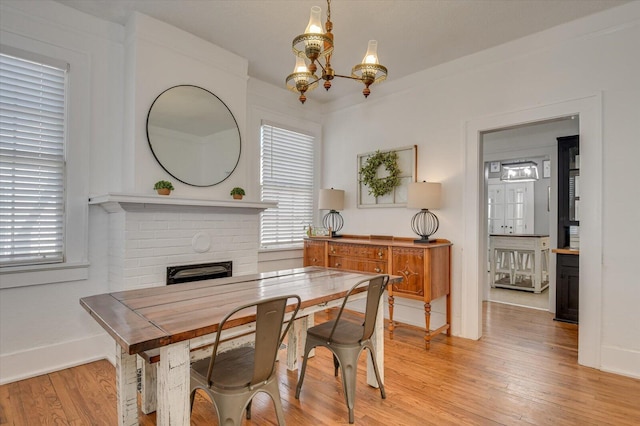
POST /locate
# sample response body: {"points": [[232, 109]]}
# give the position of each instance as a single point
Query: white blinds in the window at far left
{"points": [[32, 162]]}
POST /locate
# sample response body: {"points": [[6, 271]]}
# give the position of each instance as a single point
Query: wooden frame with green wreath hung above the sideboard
{"points": [[383, 177]]}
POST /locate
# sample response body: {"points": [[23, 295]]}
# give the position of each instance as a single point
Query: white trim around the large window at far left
{"points": [[75, 266]]}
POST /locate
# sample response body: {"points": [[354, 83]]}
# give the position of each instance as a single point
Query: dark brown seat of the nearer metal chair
{"points": [[233, 369]]}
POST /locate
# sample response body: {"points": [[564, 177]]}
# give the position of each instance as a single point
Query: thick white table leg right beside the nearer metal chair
{"points": [[173, 385]]}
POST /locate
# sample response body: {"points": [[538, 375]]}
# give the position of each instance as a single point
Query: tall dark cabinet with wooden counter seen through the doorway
{"points": [[567, 253]]}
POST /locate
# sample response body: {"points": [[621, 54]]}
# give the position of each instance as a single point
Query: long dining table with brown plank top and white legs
{"points": [[169, 318]]}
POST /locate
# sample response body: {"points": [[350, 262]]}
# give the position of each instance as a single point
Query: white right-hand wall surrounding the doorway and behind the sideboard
{"points": [[433, 109]]}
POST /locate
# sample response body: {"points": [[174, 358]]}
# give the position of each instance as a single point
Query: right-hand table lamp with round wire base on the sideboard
{"points": [[424, 196]]}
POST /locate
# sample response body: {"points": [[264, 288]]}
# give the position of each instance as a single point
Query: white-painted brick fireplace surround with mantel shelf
{"points": [[149, 233]]}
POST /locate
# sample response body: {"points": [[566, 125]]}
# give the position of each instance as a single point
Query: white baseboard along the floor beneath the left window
{"points": [[46, 359]]}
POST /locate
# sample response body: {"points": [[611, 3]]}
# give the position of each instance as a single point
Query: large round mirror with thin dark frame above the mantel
{"points": [[193, 135]]}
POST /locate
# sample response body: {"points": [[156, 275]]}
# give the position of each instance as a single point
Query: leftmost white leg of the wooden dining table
{"points": [[126, 387]]}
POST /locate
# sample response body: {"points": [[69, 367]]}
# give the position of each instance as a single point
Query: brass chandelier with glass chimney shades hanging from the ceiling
{"points": [[315, 47]]}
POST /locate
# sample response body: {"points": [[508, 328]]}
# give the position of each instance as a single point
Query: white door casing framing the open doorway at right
{"points": [[589, 109]]}
